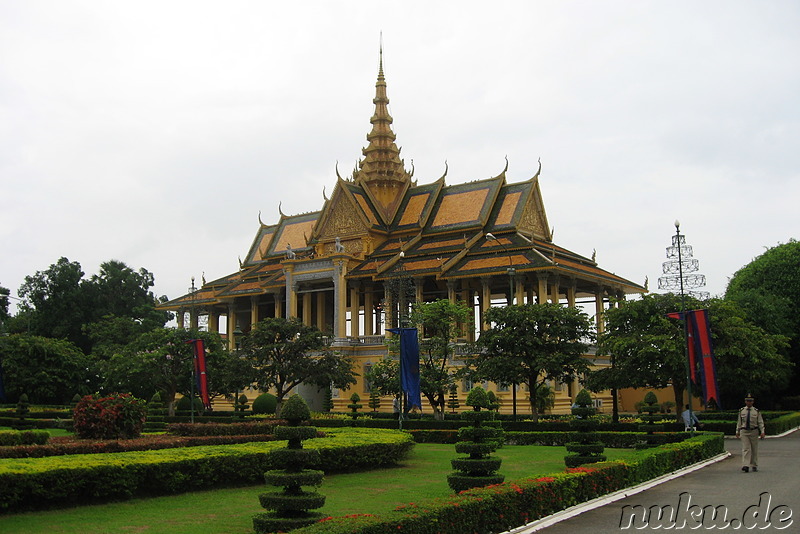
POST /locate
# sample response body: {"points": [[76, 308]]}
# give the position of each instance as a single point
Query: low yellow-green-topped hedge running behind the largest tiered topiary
{"points": [[71, 480]]}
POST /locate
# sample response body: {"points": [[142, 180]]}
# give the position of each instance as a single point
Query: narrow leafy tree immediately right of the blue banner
{"points": [[439, 322]]}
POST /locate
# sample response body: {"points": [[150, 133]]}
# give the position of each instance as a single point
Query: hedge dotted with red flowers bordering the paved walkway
{"points": [[505, 506]]}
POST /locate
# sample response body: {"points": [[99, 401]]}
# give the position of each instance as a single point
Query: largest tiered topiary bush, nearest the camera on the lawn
{"points": [[290, 506]]}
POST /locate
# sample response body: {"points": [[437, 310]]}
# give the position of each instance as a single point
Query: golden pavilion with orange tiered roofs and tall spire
{"points": [[483, 242]]}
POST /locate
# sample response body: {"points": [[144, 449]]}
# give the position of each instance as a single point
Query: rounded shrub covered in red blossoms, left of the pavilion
{"points": [[116, 416]]}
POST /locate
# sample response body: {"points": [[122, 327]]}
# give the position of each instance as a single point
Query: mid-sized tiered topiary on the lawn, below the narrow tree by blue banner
{"points": [[479, 468]]}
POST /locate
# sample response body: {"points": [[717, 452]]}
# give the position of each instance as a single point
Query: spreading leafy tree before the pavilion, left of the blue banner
{"points": [[287, 353]]}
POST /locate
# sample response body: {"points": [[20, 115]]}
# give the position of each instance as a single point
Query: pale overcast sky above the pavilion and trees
{"points": [[155, 132]]}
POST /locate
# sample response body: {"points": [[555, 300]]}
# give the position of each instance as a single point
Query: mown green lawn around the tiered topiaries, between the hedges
{"points": [[229, 511]]}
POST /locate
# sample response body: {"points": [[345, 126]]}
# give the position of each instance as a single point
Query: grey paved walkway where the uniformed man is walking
{"points": [[776, 487]]}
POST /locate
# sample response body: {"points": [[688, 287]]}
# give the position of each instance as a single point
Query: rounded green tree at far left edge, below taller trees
{"points": [[50, 371]]}
